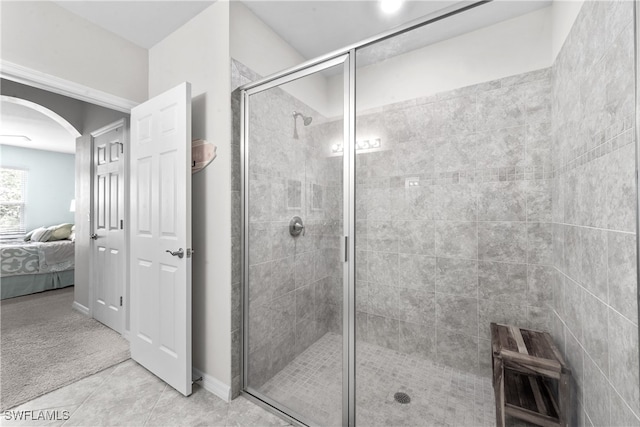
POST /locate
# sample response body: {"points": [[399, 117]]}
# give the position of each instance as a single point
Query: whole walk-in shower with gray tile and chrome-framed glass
{"points": [[400, 194]]}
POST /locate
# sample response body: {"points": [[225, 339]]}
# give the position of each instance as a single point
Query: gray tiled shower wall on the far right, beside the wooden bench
{"points": [[595, 292]]}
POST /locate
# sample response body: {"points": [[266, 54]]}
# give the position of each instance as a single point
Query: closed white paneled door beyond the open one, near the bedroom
{"points": [[108, 247]]}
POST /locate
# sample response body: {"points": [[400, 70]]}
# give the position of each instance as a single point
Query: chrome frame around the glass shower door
{"points": [[347, 248]]}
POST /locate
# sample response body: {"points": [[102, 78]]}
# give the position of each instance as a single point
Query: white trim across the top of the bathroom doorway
{"points": [[30, 77]]}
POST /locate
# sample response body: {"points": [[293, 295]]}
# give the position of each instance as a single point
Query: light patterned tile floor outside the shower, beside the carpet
{"points": [[129, 395]]}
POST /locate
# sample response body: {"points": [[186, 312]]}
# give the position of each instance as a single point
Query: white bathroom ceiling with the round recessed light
{"points": [[312, 27]]}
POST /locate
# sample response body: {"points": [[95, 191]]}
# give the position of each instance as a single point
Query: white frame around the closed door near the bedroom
{"points": [[124, 291]]}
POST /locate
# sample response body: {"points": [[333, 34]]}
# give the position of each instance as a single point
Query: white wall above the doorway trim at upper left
{"points": [[46, 37]]}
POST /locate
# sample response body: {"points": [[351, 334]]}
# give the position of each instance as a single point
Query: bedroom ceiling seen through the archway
{"points": [[42, 131]]}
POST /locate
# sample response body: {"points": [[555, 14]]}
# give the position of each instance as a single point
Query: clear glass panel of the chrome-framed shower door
{"points": [[294, 265]]}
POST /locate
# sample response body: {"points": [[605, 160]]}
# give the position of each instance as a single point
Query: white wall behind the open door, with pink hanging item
{"points": [[198, 52]]}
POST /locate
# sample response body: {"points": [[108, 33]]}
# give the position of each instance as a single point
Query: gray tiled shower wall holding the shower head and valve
{"points": [[293, 280]]}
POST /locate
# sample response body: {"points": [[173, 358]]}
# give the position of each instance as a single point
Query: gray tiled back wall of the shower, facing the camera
{"points": [[472, 243]]}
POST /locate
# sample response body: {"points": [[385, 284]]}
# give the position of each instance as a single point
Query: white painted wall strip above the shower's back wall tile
{"points": [[510, 47]]}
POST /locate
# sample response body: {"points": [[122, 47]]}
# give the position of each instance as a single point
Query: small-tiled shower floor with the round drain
{"points": [[440, 396]]}
